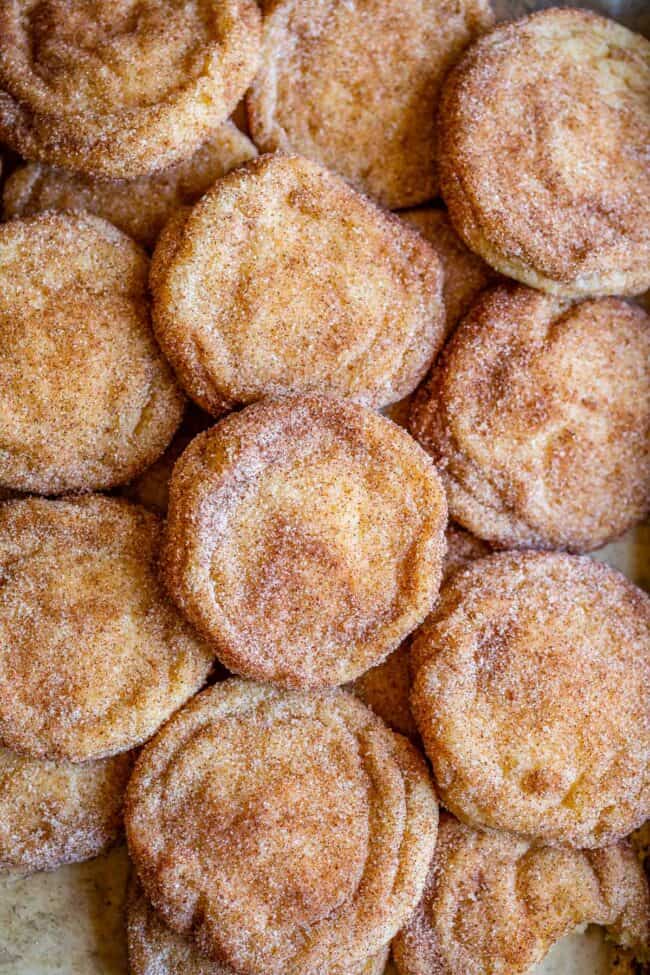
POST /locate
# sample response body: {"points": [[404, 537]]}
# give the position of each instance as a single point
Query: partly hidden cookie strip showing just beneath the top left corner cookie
{"points": [[139, 207]]}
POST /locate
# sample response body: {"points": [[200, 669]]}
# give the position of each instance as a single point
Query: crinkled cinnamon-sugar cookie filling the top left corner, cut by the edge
{"points": [[70, 95]]}
